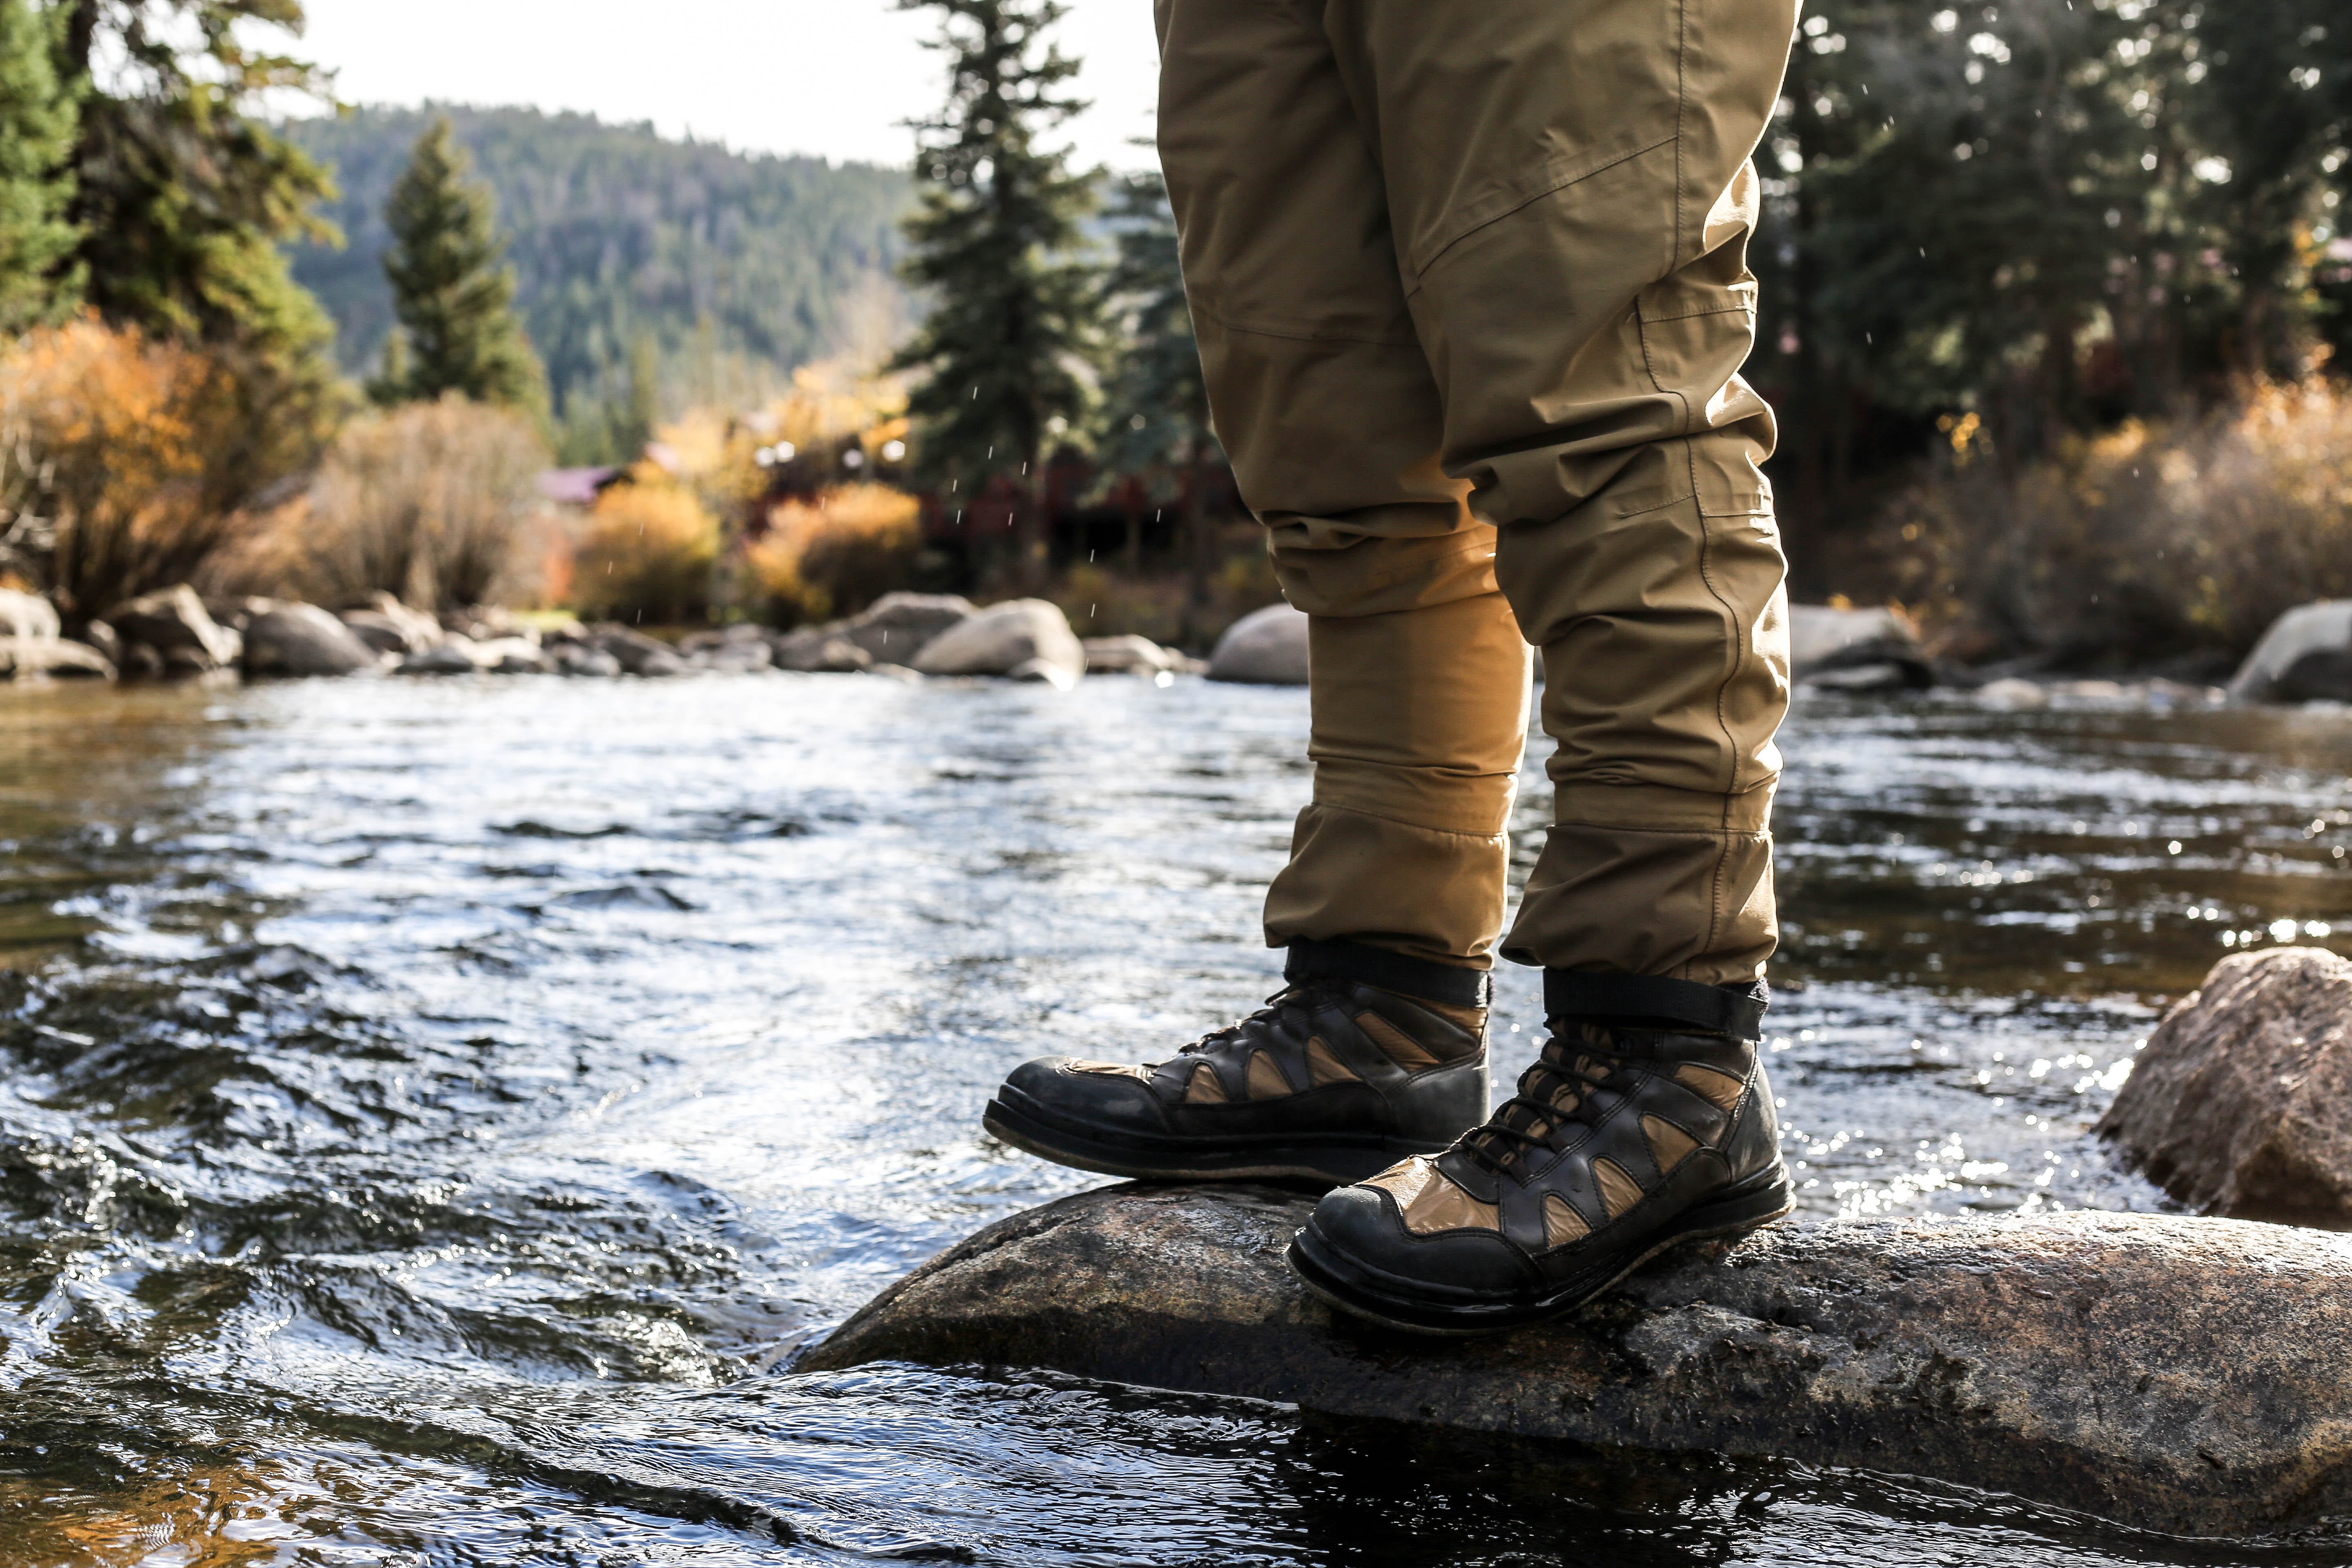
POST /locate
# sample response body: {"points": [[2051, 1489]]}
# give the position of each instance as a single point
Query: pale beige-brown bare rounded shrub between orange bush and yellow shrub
{"points": [[434, 502]]}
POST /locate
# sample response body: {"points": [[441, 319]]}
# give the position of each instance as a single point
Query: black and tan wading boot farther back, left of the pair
{"points": [[1361, 1059]]}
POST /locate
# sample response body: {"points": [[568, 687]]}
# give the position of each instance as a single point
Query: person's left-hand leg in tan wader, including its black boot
{"points": [[1328, 408]]}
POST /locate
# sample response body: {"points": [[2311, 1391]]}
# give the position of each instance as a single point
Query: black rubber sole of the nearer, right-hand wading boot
{"points": [[1370, 1294]]}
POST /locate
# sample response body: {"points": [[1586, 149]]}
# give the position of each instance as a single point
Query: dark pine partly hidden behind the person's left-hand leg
{"points": [[1156, 403]]}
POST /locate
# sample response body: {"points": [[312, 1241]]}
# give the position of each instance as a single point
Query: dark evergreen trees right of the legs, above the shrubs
{"points": [[2050, 215]]}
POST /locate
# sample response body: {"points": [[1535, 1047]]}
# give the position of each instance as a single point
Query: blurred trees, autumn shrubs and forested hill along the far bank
{"points": [[2054, 316]]}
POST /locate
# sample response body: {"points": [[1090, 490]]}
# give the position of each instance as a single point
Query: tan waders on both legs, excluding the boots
{"points": [[1471, 288]]}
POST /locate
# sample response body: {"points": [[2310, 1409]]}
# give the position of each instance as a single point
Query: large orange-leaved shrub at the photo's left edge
{"points": [[133, 464]]}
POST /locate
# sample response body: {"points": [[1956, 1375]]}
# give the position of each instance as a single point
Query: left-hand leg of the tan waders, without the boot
{"points": [[1332, 420]]}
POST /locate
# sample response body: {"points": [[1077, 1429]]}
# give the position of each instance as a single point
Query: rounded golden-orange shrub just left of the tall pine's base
{"points": [[836, 554]]}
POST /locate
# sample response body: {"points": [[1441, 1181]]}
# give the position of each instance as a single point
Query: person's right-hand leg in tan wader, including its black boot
{"points": [[1572, 203]]}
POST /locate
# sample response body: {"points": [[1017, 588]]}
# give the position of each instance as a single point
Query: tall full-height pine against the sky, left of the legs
{"points": [[1015, 309]]}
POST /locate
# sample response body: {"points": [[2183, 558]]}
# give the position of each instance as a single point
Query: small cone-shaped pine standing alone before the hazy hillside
{"points": [[455, 302]]}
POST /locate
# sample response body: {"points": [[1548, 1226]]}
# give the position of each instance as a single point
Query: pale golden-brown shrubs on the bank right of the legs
{"points": [[2144, 544]]}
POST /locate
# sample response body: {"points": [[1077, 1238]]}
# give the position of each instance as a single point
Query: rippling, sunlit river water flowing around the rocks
{"points": [[432, 1115]]}
